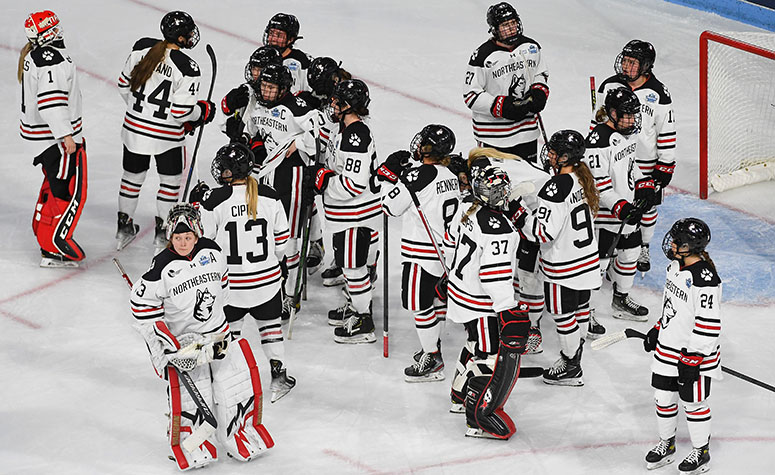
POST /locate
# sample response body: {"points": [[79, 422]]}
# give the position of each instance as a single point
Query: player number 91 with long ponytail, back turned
{"points": [[563, 224]]}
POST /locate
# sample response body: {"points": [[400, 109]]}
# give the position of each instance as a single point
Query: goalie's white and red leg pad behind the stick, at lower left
{"points": [[185, 418]]}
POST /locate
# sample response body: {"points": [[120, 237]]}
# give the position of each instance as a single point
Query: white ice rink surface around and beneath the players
{"points": [[80, 397]]}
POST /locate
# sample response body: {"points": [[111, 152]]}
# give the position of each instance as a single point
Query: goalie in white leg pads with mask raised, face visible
{"points": [[178, 309]]}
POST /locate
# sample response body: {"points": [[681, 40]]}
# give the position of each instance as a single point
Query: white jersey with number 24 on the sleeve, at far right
{"points": [[691, 319]]}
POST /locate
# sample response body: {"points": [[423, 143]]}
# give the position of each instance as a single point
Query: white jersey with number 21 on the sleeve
{"points": [[611, 158]]}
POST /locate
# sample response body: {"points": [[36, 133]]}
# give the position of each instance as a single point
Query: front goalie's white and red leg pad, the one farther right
{"points": [[239, 399]]}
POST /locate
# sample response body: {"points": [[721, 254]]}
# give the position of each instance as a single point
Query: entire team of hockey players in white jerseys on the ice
{"points": [[494, 241]]}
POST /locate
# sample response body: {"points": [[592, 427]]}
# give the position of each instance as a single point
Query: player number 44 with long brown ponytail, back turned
{"points": [[160, 86]]}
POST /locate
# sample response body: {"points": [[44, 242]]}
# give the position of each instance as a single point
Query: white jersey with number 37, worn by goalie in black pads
{"points": [[482, 268]]}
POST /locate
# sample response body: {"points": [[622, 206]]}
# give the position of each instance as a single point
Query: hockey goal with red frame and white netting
{"points": [[737, 109]]}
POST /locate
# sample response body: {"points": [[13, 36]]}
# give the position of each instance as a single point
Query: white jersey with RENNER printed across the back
{"points": [[437, 191]]}
